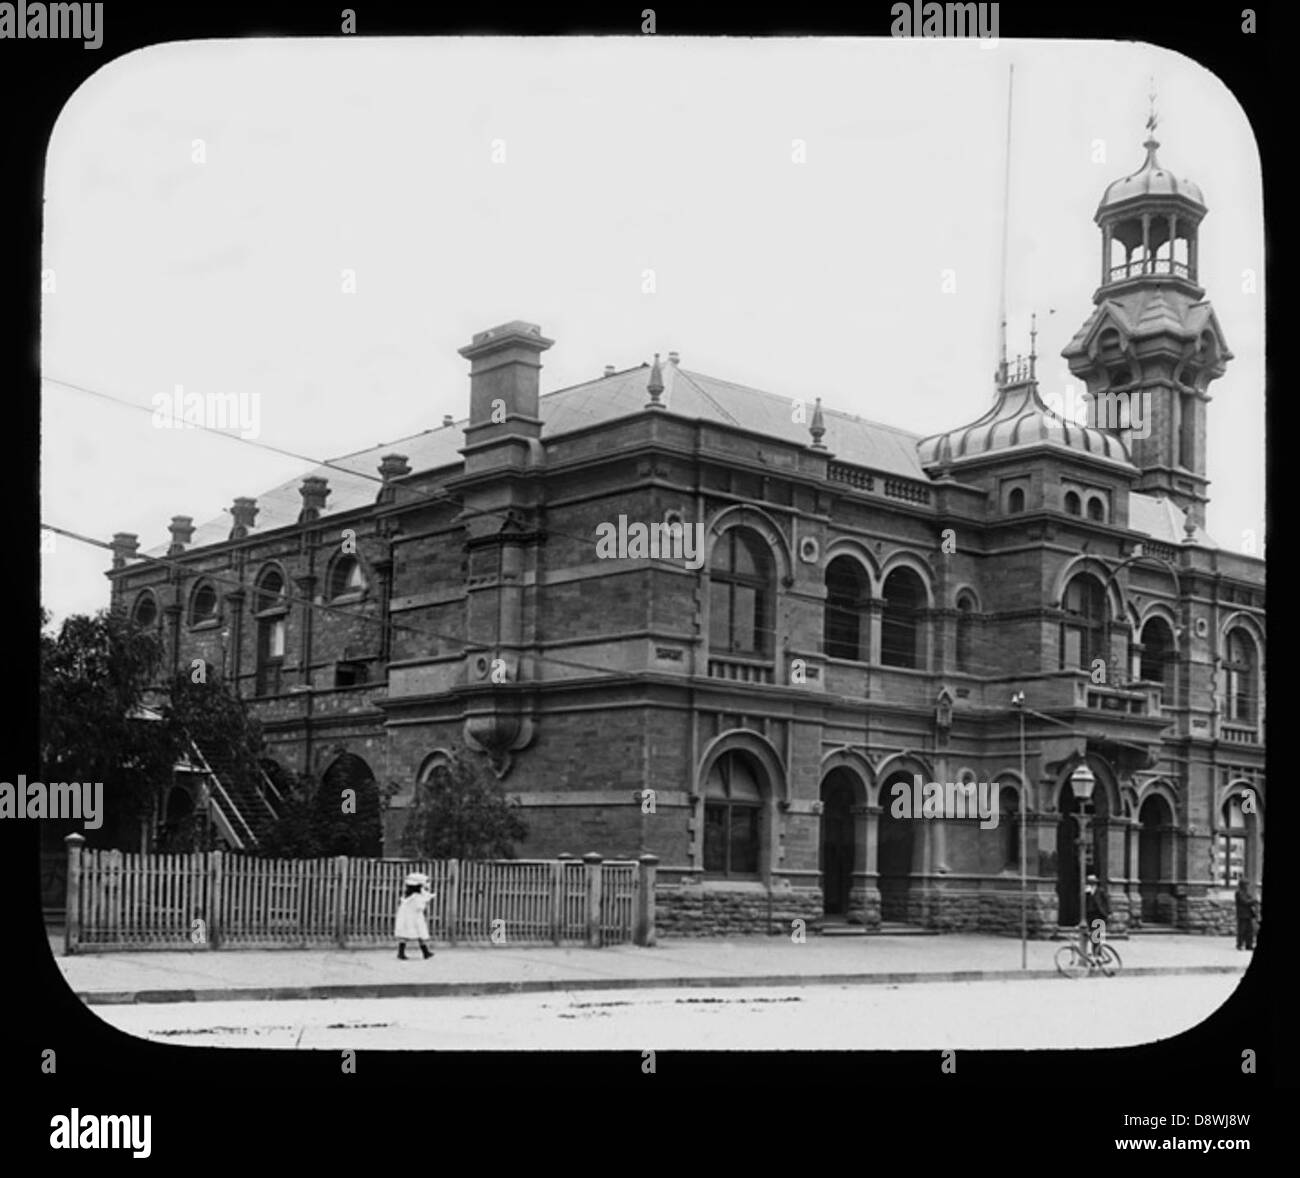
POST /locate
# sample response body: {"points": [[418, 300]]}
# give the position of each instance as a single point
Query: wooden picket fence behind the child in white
{"points": [[224, 900]]}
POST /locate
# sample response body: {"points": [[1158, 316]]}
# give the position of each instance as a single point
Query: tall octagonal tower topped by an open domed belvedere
{"points": [[1151, 349]]}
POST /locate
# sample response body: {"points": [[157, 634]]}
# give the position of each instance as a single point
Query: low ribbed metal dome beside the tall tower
{"points": [[1019, 418]]}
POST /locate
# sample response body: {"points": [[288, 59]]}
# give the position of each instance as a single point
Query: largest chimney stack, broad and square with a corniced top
{"points": [[505, 379]]}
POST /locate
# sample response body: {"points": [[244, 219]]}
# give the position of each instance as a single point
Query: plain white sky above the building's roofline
{"points": [[622, 154]]}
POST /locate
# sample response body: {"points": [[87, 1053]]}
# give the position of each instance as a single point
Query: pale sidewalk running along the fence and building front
{"points": [[242, 976]]}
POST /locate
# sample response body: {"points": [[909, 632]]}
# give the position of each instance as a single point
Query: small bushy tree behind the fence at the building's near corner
{"points": [[462, 813]]}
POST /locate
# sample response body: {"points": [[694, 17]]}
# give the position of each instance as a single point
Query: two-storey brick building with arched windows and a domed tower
{"points": [[868, 604]]}
